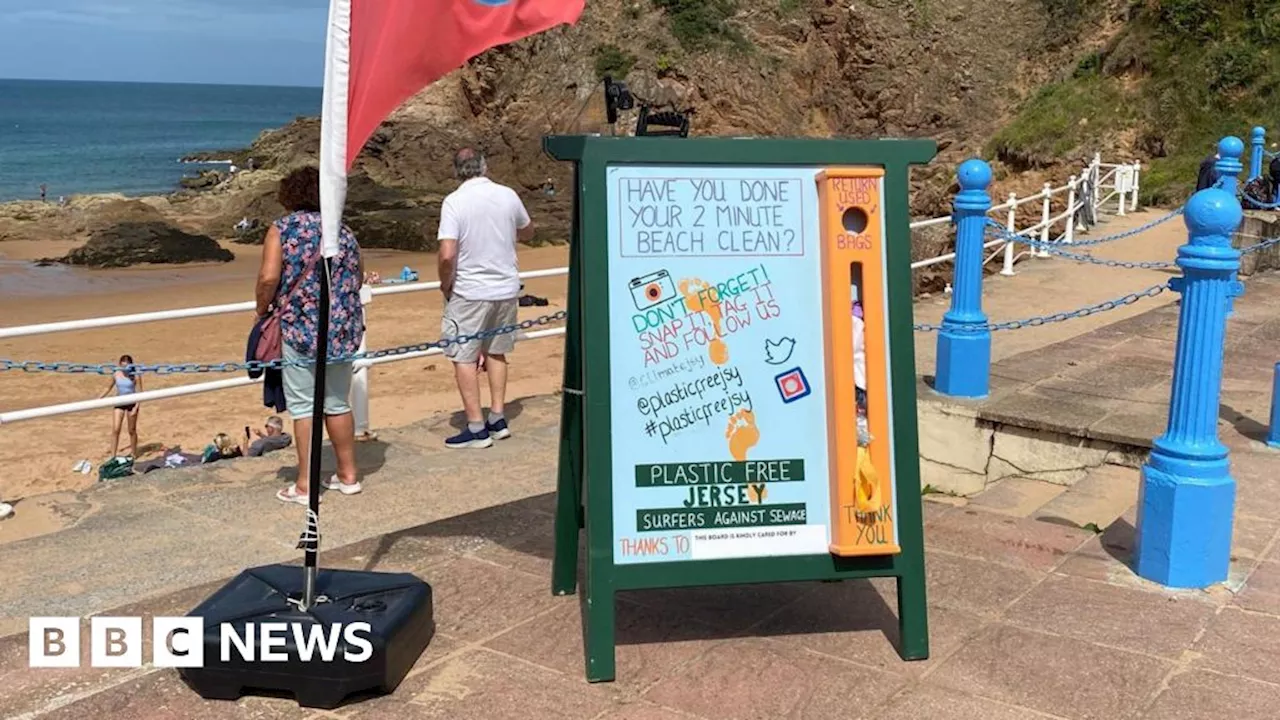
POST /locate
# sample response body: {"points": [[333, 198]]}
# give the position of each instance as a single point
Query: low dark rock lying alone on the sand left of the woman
{"points": [[147, 243]]}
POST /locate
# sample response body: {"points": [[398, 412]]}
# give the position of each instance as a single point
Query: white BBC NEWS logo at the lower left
{"points": [[180, 642]]}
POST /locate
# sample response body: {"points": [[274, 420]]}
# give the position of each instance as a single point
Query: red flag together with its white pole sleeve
{"points": [[381, 53]]}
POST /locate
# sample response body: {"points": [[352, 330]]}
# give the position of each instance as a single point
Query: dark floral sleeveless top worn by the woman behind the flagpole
{"points": [[300, 241]]}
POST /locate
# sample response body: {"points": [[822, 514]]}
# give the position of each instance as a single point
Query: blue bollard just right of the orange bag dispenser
{"points": [[964, 343]]}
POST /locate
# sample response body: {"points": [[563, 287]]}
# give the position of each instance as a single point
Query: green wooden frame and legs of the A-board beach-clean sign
{"points": [[587, 477]]}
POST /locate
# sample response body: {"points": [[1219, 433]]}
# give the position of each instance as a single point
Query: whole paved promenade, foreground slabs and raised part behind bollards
{"points": [[1032, 614]]}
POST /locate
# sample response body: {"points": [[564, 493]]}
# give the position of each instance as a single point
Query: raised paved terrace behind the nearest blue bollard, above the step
{"points": [[1113, 384]]}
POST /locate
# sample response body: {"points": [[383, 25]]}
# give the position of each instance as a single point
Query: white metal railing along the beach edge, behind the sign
{"points": [[1124, 186]]}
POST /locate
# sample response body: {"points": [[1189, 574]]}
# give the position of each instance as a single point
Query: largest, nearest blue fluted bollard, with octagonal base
{"points": [[1187, 498]]}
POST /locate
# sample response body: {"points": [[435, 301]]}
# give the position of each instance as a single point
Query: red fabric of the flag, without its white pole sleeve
{"points": [[401, 47]]}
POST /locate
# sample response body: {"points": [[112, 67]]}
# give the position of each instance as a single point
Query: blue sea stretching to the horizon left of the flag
{"points": [[81, 138]]}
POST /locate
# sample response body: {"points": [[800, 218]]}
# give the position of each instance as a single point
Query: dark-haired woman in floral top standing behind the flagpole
{"points": [[290, 280]]}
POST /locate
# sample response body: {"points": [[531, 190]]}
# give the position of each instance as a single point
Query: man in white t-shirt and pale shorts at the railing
{"points": [[481, 224]]}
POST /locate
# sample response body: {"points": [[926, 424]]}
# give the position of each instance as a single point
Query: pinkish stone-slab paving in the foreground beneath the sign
{"points": [[1013, 636]]}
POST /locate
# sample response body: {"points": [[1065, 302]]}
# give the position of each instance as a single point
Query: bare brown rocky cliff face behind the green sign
{"points": [[907, 70]]}
